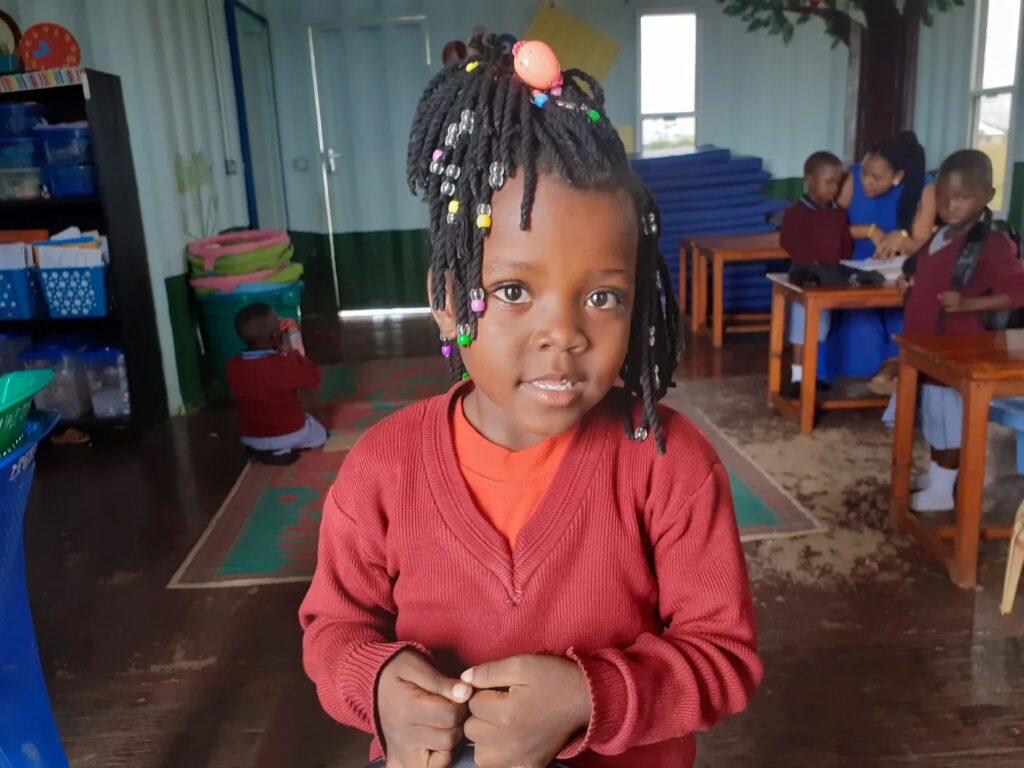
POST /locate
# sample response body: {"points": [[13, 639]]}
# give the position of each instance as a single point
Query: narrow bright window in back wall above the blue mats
{"points": [[668, 81]]}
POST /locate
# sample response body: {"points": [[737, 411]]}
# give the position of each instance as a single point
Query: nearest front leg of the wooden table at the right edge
{"points": [[970, 484]]}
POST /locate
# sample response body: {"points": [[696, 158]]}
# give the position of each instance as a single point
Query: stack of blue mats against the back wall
{"points": [[710, 192]]}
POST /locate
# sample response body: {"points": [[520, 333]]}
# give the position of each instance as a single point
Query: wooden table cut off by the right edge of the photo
{"points": [[980, 368]]}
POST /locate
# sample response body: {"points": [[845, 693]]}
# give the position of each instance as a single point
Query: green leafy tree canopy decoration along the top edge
{"points": [[783, 17]]}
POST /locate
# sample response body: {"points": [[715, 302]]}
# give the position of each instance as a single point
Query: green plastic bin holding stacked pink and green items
{"points": [[218, 320]]}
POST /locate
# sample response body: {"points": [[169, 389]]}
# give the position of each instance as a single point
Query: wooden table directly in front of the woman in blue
{"points": [[816, 301]]}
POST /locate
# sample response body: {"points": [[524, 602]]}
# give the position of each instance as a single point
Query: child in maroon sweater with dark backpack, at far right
{"points": [[964, 191]]}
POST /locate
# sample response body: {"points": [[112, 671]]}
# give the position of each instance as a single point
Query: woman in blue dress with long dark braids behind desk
{"points": [[891, 204]]}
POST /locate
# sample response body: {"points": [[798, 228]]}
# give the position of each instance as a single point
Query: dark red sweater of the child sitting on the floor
{"points": [[267, 392]]}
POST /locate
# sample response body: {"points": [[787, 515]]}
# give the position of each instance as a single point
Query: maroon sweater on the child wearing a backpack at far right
{"points": [[999, 272]]}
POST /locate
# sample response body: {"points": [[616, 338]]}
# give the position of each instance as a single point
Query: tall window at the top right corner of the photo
{"points": [[997, 37]]}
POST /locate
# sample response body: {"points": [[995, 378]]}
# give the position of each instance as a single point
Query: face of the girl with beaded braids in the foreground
{"points": [[560, 298]]}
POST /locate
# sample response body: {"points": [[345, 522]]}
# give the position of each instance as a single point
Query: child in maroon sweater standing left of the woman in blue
{"points": [[816, 230]]}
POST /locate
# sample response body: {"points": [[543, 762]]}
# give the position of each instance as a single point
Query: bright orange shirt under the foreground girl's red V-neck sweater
{"points": [[506, 486]]}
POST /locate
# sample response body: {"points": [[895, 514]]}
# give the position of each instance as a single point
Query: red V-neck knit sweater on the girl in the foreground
{"points": [[631, 567]]}
